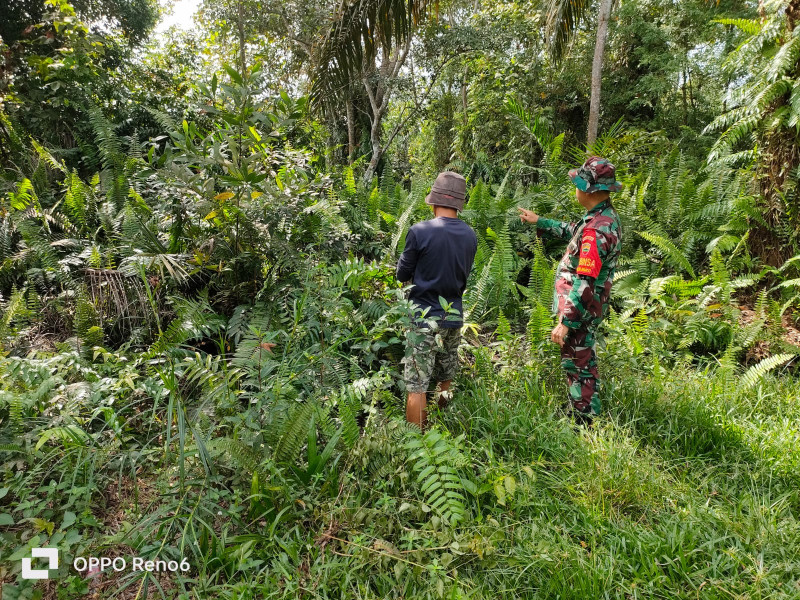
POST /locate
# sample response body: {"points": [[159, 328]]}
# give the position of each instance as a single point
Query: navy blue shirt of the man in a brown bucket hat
{"points": [[437, 258]]}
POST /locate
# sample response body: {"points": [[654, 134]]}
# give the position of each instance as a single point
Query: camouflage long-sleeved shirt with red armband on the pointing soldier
{"points": [[586, 271]]}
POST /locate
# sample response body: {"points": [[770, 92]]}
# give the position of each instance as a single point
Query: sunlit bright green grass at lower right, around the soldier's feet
{"points": [[663, 499]]}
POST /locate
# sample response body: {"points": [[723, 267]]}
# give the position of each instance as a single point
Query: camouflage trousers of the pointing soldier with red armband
{"points": [[579, 361]]}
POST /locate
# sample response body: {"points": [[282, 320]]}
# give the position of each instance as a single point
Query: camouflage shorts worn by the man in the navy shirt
{"points": [[431, 357]]}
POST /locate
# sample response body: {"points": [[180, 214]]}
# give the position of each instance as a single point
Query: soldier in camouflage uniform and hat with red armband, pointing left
{"points": [[583, 279]]}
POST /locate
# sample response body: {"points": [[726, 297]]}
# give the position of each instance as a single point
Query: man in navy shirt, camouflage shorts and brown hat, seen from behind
{"points": [[437, 258]]}
